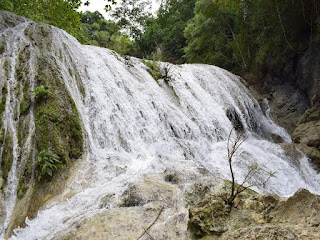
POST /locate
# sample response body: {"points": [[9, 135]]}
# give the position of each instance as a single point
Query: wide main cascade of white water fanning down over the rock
{"points": [[141, 126]]}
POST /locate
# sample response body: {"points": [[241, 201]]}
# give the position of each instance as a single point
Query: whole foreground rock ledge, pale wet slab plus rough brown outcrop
{"points": [[188, 204]]}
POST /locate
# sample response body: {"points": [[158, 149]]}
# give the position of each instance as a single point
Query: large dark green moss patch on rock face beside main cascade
{"points": [[58, 128]]}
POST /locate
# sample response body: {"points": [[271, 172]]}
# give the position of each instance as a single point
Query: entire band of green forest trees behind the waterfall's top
{"points": [[238, 35]]}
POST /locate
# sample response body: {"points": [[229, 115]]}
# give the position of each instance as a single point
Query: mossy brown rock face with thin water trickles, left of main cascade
{"points": [[51, 122]]}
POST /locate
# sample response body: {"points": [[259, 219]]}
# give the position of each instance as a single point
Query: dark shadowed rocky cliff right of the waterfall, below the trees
{"points": [[293, 91]]}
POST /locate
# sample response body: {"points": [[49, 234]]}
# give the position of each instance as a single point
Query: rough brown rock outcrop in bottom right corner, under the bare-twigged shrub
{"points": [[257, 217]]}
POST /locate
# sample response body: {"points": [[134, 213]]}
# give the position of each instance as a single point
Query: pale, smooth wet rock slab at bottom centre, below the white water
{"points": [[151, 201]]}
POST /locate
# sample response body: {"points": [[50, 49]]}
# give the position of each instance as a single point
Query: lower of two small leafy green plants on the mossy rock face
{"points": [[48, 163]]}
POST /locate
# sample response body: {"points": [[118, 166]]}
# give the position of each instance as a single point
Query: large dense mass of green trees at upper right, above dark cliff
{"points": [[241, 35]]}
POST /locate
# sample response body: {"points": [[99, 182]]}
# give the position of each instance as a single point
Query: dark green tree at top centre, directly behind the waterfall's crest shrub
{"points": [[165, 33]]}
